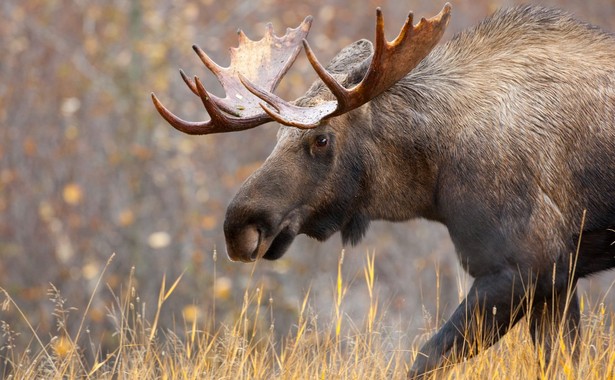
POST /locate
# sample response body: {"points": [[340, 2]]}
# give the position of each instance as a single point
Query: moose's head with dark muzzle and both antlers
{"points": [[317, 179]]}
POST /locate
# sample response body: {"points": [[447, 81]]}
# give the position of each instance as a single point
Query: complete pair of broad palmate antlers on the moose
{"points": [[254, 73]]}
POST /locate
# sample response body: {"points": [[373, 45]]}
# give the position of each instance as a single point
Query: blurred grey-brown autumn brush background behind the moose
{"points": [[88, 168]]}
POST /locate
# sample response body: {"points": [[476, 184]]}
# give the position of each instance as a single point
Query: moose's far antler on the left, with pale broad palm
{"points": [[262, 62]]}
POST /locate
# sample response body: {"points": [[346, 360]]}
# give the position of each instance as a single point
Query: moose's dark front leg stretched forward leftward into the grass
{"points": [[489, 310]]}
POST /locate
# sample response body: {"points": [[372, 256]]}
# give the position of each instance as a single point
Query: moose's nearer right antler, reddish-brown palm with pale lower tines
{"points": [[390, 62]]}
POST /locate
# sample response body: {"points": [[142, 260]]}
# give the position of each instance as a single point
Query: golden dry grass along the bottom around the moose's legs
{"points": [[317, 348]]}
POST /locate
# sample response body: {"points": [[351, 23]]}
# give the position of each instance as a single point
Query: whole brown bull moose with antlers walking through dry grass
{"points": [[505, 134]]}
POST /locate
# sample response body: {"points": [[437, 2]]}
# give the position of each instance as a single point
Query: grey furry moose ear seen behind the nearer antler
{"points": [[352, 62]]}
